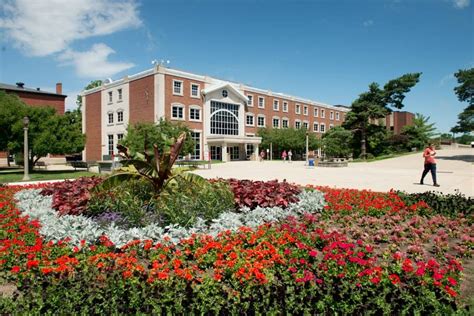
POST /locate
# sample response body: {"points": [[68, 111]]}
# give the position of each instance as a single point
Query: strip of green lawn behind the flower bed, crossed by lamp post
{"points": [[16, 175]]}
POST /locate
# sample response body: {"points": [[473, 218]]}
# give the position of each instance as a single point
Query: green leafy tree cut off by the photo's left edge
{"points": [[12, 110]]}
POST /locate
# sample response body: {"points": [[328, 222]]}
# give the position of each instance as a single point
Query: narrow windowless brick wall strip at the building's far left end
{"points": [[93, 127]]}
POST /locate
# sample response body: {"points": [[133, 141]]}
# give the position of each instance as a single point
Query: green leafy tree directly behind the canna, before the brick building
{"points": [[162, 134]]}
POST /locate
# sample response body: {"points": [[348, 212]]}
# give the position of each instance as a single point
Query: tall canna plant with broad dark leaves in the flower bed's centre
{"points": [[156, 167]]}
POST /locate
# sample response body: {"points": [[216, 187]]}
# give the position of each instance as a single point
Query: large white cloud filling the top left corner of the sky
{"points": [[41, 28]]}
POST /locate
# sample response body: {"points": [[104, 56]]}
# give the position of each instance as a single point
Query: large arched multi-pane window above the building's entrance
{"points": [[224, 118]]}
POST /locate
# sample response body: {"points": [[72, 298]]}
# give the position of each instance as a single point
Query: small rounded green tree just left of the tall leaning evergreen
{"points": [[337, 143]]}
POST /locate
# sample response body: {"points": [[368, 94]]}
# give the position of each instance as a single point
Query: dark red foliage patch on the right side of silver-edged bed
{"points": [[264, 194]]}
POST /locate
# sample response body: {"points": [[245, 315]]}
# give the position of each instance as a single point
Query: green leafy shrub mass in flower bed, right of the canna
{"points": [[193, 201]]}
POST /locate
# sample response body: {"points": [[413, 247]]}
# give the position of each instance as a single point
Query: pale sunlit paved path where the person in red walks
{"points": [[455, 172]]}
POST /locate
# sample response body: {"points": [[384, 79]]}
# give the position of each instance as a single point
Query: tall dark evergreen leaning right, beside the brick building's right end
{"points": [[376, 104]]}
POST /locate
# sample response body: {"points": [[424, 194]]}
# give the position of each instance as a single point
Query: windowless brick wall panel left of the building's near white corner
{"points": [[142, 96]]}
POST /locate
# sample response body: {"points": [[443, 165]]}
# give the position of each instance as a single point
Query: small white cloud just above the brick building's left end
{"points": [[94, 63]]}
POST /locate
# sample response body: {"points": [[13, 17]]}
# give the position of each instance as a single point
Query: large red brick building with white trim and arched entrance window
{"points": [[224, 116]]}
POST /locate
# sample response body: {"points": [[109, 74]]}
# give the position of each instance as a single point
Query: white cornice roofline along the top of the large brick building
{"points": [[180, 73]]}
